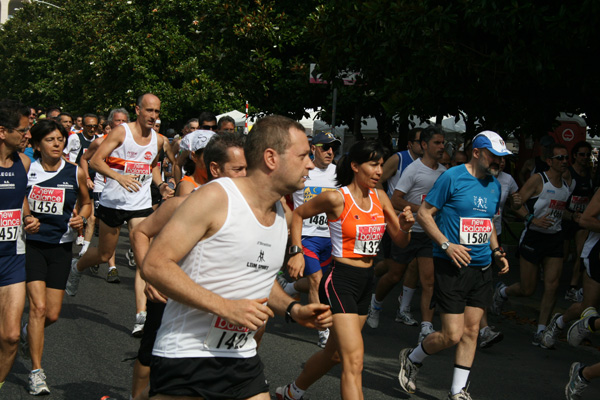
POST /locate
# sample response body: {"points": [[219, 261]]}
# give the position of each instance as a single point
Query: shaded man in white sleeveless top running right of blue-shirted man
{"points": [[545, 194]]}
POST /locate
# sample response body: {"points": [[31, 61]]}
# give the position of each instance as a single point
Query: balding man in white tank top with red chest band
{"points": [[133, 150]]}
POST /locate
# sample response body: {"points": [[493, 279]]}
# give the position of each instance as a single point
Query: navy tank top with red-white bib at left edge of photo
{"points": [[13, 184]]}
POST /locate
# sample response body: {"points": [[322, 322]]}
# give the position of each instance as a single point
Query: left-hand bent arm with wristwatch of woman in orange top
{"points": [[331, 203]]}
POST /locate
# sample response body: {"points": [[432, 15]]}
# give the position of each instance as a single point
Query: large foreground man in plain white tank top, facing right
{"points": [[228, 260]]}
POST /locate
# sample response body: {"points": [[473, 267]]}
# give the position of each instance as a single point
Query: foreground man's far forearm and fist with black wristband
{"points": [[313, 315]]}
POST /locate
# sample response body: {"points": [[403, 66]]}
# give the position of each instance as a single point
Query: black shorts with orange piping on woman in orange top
{"points": [[347, 289]]}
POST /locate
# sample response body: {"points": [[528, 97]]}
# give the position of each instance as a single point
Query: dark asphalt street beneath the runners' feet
{"points": [[88, 352]]}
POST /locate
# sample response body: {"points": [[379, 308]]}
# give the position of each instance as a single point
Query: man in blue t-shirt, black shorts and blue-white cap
{"points": [[463, 200]]}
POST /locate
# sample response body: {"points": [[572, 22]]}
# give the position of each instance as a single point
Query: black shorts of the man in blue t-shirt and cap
{"points": [[456, 288]]}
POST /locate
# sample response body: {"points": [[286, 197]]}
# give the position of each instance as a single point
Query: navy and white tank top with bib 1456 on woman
{"points": [[52, 197]]}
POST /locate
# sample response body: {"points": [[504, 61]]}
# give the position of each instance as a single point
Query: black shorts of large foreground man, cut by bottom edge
{"points": [[211, 378]]}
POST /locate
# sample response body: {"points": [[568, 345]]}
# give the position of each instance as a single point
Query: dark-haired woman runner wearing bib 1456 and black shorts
{"points": [[53, 189]]}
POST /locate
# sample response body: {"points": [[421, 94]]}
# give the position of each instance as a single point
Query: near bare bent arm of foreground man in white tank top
{"points": [[175, 241]]}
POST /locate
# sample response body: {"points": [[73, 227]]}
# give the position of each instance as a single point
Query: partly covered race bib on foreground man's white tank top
{"points": [[226, 336]]}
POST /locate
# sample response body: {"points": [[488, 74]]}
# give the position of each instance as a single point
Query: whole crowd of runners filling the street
{"points": [[286, 217]]}
